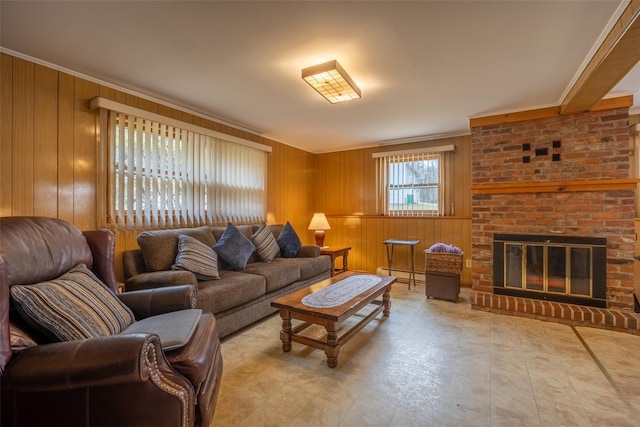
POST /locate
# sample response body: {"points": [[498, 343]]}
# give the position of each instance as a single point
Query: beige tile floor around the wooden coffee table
{"points": [[435, 363]]}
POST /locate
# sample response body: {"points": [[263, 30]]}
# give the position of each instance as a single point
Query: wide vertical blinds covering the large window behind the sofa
{"points": [[164, 176]]}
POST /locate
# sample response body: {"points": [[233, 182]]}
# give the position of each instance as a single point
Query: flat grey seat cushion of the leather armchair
{"points": [[174, 328]]}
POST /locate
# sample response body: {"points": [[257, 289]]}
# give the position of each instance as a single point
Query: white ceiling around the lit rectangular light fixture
{"points": [[424, 67]]}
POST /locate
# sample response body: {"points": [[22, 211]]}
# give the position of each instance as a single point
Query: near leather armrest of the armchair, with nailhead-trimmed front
{"points": [[104, 361]]}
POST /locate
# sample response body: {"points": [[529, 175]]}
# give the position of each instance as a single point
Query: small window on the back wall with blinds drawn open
{"points": [[411, 183]]}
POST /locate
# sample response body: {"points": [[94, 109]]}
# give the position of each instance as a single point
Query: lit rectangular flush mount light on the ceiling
{"points": [[332, 82]]}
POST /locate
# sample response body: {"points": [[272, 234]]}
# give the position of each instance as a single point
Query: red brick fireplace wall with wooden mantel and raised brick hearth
{"points": [[545, 174]]}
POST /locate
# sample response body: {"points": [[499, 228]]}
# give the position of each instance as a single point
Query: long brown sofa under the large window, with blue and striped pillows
{"points": [[237, 298]]}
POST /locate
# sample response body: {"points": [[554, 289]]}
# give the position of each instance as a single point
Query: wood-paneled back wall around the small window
{"points": [[345, 190]]}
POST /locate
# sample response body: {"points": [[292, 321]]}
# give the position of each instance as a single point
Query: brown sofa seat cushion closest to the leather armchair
{"points": [[232, 290]]}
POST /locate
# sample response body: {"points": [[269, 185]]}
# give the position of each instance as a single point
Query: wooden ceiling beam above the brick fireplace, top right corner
{"points": [[616, 56]]}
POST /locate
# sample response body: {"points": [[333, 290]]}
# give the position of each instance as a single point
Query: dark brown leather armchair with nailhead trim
{"points": [[116, 380]]}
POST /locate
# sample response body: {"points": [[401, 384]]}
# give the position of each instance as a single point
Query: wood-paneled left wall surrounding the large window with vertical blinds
{"points": [[49, 147]]}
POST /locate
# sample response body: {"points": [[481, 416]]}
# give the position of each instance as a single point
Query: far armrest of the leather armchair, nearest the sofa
{"points": [[149, 302]]}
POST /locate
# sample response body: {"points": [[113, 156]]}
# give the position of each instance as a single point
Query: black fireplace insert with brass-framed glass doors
{"points": [[555, 268]]}
